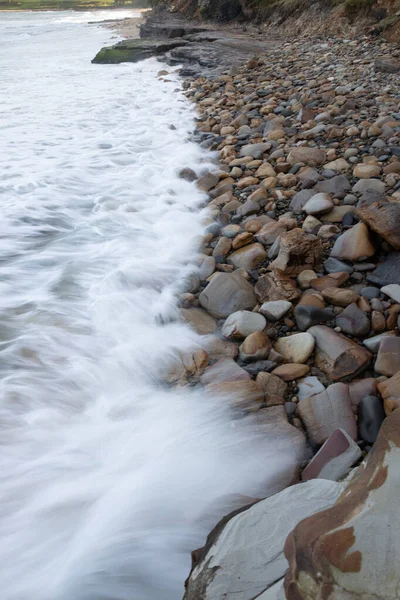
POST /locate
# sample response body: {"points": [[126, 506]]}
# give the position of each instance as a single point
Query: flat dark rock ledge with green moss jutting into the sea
{"points": [[135, 50]]}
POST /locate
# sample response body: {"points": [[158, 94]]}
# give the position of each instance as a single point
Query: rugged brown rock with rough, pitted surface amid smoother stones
{"points": [[298, 251]]}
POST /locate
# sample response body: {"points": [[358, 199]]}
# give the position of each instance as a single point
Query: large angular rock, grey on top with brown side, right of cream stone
{"points": [[338, 356]]}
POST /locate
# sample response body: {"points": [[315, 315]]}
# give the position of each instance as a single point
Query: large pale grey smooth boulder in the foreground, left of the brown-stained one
{"points": [[243, 556]]}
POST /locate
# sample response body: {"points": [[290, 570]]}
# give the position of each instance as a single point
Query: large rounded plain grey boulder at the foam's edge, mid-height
{"points": [[227, 293]]}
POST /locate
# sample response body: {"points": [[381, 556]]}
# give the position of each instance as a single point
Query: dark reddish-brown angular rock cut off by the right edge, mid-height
{"points": [[384, 218]]}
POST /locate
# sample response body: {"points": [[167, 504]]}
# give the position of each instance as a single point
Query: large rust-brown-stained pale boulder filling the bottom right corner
{"points": [[351, 550]]}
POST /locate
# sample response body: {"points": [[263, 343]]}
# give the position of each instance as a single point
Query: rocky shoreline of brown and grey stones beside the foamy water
{"points": [[297, 296]]}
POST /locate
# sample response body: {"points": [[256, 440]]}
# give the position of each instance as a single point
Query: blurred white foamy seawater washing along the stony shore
{"points": [[107, 479]]}
